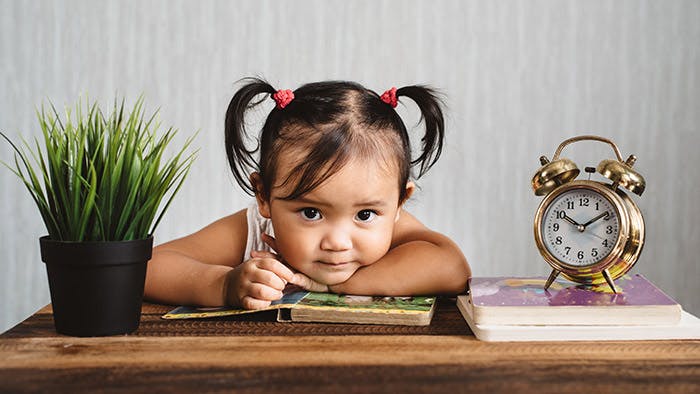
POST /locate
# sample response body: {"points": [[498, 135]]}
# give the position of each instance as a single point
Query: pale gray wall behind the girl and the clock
{"points": [[519, 77]]}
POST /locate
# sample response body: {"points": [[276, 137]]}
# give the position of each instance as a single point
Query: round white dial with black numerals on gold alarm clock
{"points": [[580, 227]]}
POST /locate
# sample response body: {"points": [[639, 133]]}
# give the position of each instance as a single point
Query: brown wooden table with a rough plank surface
{"points": [[258, 354]]}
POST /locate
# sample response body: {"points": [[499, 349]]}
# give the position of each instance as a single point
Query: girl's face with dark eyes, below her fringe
{"points": [[344, 224]]}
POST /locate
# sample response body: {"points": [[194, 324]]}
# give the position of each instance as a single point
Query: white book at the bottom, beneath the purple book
{"points": [[687, 328]]}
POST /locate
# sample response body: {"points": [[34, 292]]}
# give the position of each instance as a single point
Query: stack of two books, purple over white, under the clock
{"points": [[519, 309]]}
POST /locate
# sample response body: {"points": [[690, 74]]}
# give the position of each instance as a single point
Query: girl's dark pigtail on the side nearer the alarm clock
{"points": [[431, 114]]}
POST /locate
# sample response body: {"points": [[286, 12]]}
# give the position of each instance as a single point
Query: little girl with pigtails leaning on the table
{"points": [[330, 171]]}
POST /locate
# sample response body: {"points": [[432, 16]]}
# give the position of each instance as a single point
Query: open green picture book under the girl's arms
{"points": [[305, 306]]}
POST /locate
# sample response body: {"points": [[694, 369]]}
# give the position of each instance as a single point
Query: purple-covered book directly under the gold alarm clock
{"points": [[523, 301]]}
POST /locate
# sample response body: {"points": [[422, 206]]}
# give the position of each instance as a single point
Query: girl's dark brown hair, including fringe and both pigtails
{"points": [[328, 123]]}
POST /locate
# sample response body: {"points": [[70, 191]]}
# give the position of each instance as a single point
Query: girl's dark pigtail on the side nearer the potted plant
{"points": [[241, 158]]}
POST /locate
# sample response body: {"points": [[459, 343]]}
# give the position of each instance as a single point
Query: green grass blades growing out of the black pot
{"points": [[101, 178]]}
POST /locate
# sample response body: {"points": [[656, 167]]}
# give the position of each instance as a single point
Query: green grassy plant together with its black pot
{"points": [[99, 183]]}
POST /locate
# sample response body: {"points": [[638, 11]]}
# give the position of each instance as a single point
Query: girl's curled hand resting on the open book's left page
{"points": [[255, 283]]}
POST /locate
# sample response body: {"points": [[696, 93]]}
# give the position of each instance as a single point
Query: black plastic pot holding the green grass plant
{"points": [[96, 287]]}
